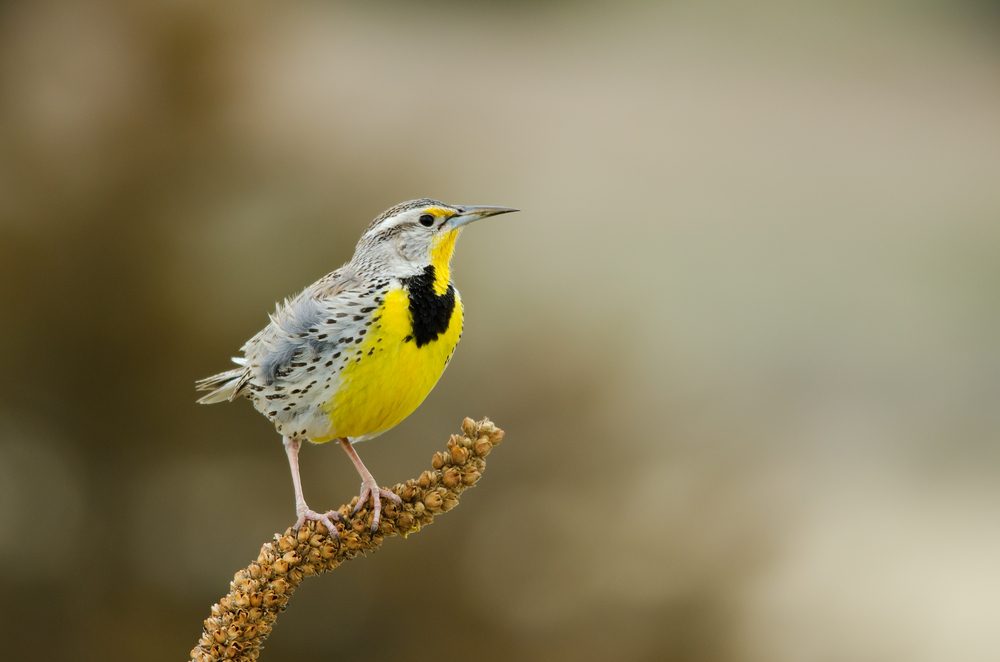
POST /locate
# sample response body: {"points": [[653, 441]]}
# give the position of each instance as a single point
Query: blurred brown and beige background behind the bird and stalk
{"points": [[743, 337]]}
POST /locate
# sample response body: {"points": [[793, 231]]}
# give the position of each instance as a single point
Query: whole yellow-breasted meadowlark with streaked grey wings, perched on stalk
{"points": [[356, 352]]}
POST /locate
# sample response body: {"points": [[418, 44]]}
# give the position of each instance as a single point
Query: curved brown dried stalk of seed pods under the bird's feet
{"points": [[241, 621]]}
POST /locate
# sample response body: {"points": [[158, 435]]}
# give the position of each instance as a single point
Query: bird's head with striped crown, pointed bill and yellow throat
{"points": [[418, 234]]}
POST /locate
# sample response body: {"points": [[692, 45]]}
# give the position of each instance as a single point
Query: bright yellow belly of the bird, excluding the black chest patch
{"points": [[393, 375]]}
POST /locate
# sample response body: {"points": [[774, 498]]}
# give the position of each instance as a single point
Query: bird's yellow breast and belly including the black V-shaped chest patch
{"points": [[411, 339]]}
